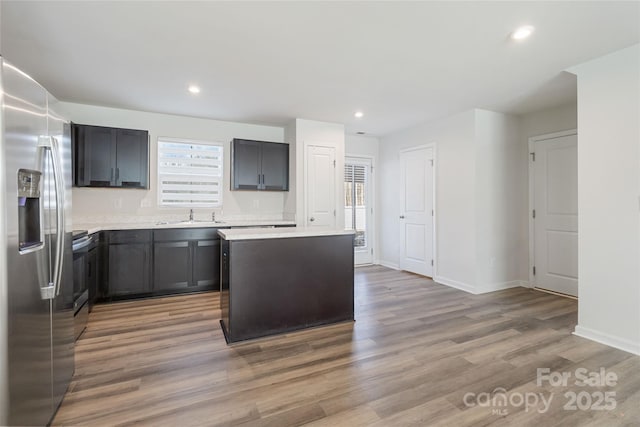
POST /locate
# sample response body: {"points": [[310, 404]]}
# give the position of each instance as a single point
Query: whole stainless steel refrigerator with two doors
{"points": [[36, 270]]}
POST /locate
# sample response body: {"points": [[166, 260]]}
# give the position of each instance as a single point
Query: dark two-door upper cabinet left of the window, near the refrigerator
{"points": [[110, 157]]}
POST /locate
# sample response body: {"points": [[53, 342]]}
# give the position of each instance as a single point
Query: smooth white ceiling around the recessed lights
{"points": [[269, 62]]}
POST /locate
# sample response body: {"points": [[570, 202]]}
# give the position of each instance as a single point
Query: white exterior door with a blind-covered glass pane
{"points": [[358, 207]]}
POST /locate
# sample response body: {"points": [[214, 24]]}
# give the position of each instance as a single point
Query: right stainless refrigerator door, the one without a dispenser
{"points": [[62, 314]]}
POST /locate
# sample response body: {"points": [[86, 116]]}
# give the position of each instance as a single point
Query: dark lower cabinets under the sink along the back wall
{"points": [[142, 263]]}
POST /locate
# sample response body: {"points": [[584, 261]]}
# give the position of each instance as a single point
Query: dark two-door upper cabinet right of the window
{"points": [[259, 165]]}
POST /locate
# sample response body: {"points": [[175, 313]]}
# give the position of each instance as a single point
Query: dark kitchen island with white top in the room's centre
{"points": [[280, 280]]}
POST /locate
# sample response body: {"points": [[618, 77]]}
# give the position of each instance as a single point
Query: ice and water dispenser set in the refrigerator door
{"points": [[29, 228]]}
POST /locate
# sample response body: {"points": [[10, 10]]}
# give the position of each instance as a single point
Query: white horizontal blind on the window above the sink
{"points": [[189, 173]]}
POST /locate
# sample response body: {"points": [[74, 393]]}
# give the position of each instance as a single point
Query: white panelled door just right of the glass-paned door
{"points": [[416, 210]]}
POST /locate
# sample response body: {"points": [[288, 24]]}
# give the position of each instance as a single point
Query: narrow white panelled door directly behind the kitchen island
{"points": [[321, 186]]}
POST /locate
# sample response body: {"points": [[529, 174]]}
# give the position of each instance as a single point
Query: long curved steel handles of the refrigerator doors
{"points": [[50, 144]]}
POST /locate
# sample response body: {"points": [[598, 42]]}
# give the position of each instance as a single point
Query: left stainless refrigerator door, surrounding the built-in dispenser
{"points": [[29, 341]]}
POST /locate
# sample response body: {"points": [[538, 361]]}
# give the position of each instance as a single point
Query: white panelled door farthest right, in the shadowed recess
{"points": [[555, 175]]}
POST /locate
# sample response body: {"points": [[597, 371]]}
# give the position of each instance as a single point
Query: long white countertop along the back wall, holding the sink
{"points": [[94, 228]]}
